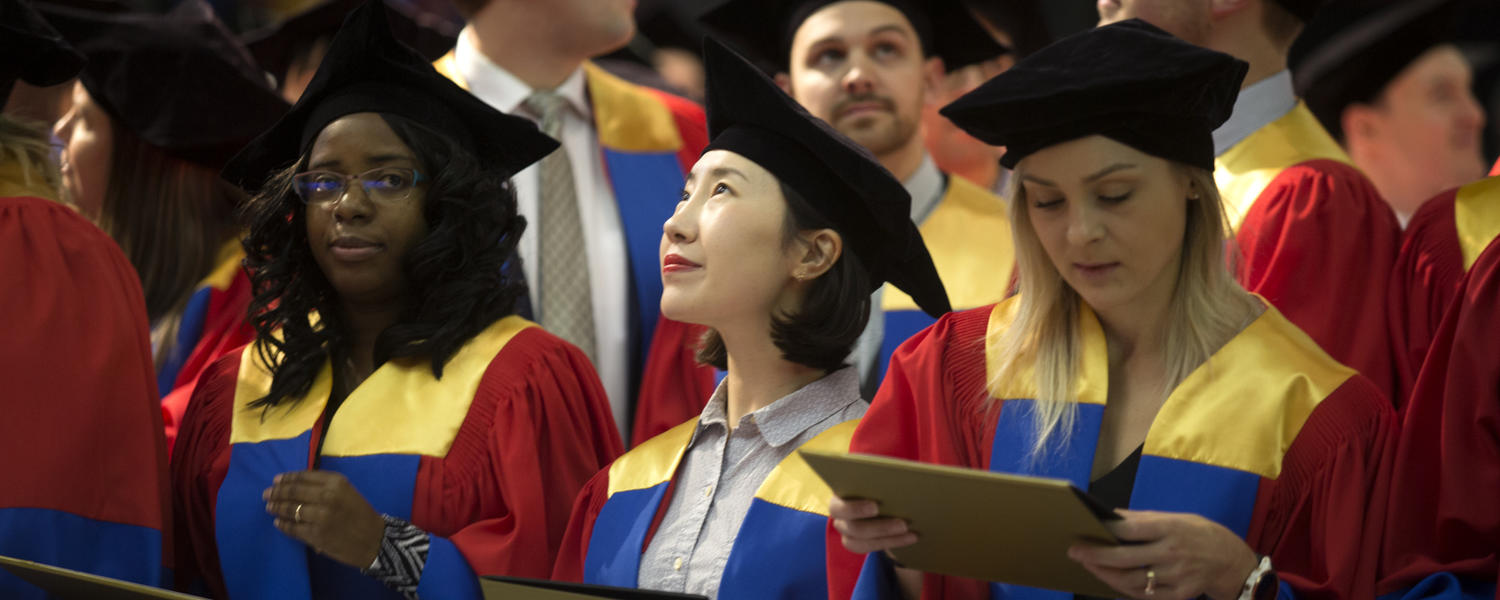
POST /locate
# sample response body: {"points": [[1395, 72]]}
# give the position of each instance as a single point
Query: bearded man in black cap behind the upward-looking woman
{"points": [[869, 68]]}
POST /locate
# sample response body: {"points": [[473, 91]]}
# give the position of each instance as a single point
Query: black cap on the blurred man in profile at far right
{"points": [[1355, 49]]}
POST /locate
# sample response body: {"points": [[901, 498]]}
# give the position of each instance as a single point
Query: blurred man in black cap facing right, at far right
{"points": [[1388, 83]]}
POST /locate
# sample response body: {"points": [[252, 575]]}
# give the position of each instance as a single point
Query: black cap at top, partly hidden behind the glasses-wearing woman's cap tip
{"points": [[277, 47]]}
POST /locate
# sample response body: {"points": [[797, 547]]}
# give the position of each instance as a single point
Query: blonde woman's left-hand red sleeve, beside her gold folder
{"points": [[929, 409]]}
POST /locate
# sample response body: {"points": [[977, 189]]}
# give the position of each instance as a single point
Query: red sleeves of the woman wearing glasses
{"points": [[538, 430]]}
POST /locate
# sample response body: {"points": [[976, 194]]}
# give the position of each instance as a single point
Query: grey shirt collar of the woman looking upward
{"points": [[793, 415]]}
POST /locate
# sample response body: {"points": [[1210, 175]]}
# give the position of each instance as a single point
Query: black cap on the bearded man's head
{"points": [[766, 29]]}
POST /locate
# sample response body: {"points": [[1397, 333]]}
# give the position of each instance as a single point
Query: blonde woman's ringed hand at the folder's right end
{"points": [[1189, 554]]}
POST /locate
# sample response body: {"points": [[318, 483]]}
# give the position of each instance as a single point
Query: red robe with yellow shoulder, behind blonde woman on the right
{"points": [[1315, 238]]}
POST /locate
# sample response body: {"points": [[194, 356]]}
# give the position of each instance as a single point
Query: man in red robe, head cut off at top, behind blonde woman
{"points": [[1315, 236]]}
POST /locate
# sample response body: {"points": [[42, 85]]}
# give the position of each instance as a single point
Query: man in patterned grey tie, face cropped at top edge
{"points": [[598, 205]]}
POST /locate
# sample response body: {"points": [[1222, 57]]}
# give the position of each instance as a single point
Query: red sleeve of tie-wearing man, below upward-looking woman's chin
{"points": [[674, 386]]}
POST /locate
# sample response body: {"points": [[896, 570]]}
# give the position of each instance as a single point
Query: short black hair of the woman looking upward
{"points": [[833, 316]]}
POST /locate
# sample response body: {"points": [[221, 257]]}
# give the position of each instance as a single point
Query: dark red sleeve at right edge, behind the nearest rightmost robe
{"points": [[1426, 280]]}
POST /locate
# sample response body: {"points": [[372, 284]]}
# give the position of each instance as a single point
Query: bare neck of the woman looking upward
{"points": [[758, 374]]}
